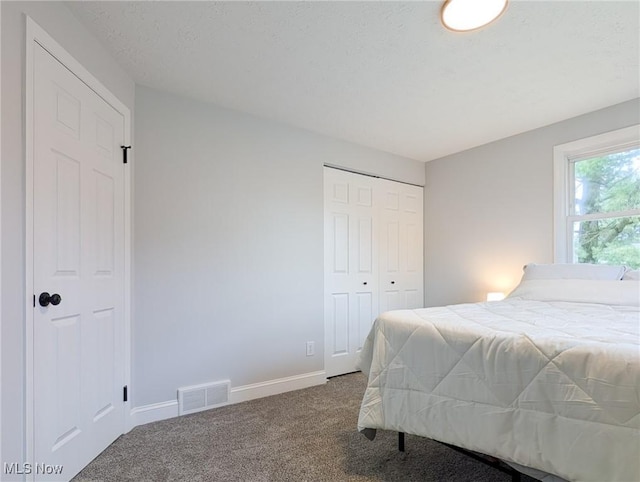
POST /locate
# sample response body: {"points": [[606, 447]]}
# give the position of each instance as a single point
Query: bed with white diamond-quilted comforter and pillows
{"points": [[547, 379]]}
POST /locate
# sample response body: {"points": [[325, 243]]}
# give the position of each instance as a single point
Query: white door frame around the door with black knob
{"points": [[35, 34]]}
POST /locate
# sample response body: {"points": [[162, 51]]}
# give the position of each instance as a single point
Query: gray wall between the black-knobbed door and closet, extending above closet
{"points": [[229, 244]]}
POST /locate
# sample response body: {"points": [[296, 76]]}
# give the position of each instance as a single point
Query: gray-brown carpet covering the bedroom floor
{"points": [[306, 435]]}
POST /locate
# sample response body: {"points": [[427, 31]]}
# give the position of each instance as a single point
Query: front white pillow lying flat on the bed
{"points": [[608, 292]]}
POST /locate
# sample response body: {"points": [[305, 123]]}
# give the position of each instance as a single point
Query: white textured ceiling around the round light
{"points": [[381, 74]]}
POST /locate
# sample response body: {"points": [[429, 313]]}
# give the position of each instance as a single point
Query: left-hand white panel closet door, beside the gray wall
{"points": [[351, 298]]}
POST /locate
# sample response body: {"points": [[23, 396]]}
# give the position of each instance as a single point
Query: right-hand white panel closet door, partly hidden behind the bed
{"points": [[401, 246]]}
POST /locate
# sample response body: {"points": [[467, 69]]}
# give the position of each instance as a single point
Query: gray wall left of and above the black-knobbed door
{"points": [[58, 21]]}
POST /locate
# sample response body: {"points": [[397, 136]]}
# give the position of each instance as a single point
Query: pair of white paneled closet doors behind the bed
{"points": [[373, 259]]}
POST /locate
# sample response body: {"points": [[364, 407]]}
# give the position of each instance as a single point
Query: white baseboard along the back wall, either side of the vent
{"points": [[155, 412]]}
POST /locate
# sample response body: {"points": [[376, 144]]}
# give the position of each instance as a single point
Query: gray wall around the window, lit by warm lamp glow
{"points": [[489, 210]]}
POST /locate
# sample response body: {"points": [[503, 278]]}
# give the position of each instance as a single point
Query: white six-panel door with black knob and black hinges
{"points": [[78, 217]]}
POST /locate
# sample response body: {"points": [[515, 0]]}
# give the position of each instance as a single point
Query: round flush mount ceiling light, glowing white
{"points": [[465, 15]]}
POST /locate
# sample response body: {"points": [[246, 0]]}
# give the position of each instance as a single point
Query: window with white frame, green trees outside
{"points": [[597, 199]]}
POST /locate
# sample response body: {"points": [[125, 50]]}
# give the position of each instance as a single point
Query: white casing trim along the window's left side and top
{"points": [[563, 156]]}
